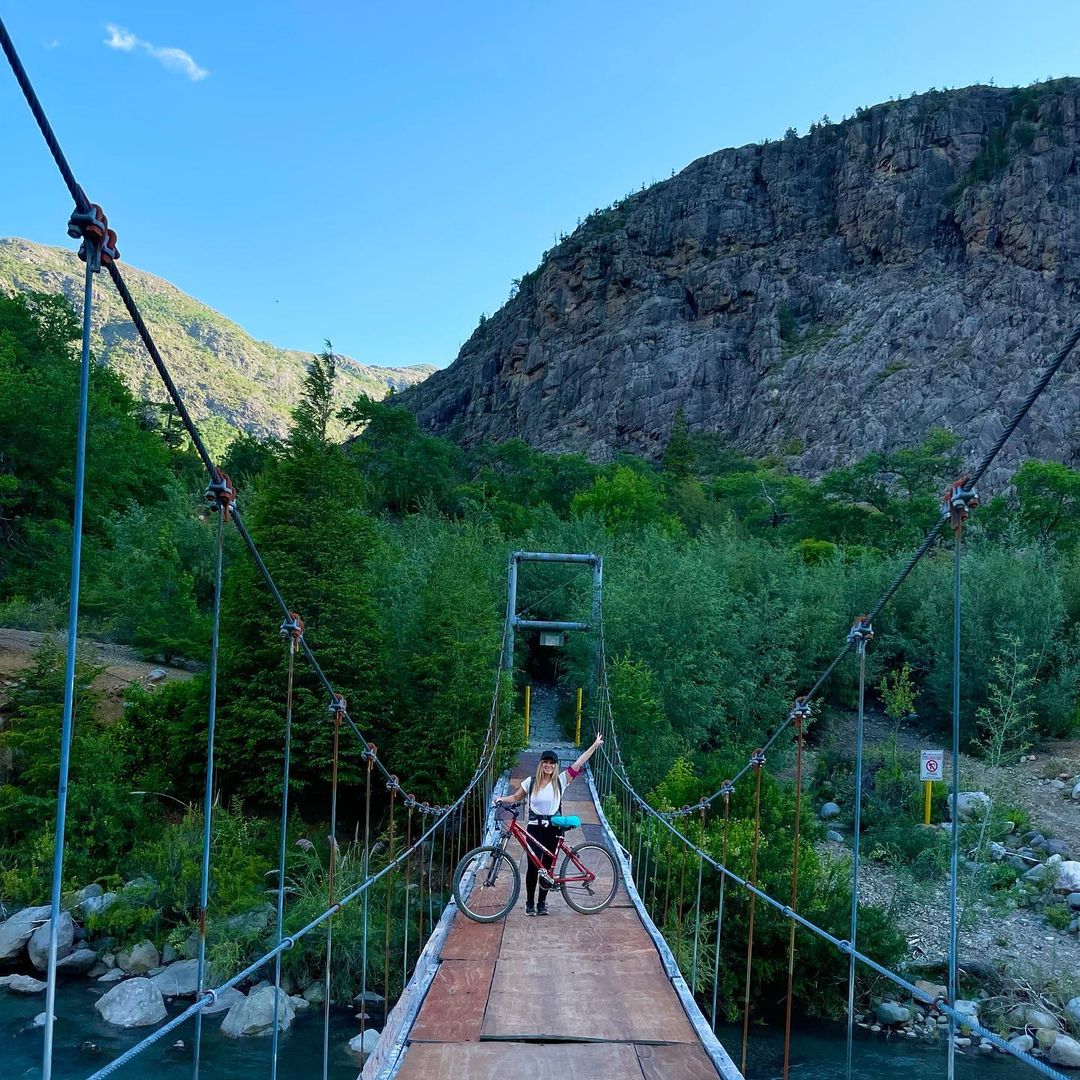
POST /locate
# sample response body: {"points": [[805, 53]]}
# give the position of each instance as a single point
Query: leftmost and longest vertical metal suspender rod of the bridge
{"points": [[67, 724]]}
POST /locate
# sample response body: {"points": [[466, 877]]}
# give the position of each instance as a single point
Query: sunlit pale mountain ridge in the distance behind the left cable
{"points": [[222, 371]]}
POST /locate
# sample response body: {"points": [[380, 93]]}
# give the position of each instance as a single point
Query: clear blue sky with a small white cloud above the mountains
{"points": [[377, 174]]}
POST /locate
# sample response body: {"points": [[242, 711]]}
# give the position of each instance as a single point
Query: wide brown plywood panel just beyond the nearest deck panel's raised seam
{"points": [[599, 1005]]}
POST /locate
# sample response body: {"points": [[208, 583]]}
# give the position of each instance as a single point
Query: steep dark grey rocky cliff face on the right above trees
{"points": [[822, 298]]}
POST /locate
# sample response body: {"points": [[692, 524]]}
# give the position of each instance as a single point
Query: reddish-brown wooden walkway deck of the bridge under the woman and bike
{"points": [[566, 995]]}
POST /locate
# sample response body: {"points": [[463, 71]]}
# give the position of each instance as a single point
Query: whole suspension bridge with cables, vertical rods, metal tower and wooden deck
{"points": [[475, 1001]]}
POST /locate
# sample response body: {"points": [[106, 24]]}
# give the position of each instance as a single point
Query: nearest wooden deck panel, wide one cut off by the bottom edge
{"points": [[491, 1061]]}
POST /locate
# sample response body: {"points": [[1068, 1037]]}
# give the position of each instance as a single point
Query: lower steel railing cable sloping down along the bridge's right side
{"points": [[844, 947]]}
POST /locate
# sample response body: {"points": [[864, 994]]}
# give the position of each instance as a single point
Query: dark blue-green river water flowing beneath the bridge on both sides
{"points": [[84, 1044]]}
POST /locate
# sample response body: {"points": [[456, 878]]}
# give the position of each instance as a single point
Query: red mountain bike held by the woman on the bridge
{"points": [[488, 883]]}
